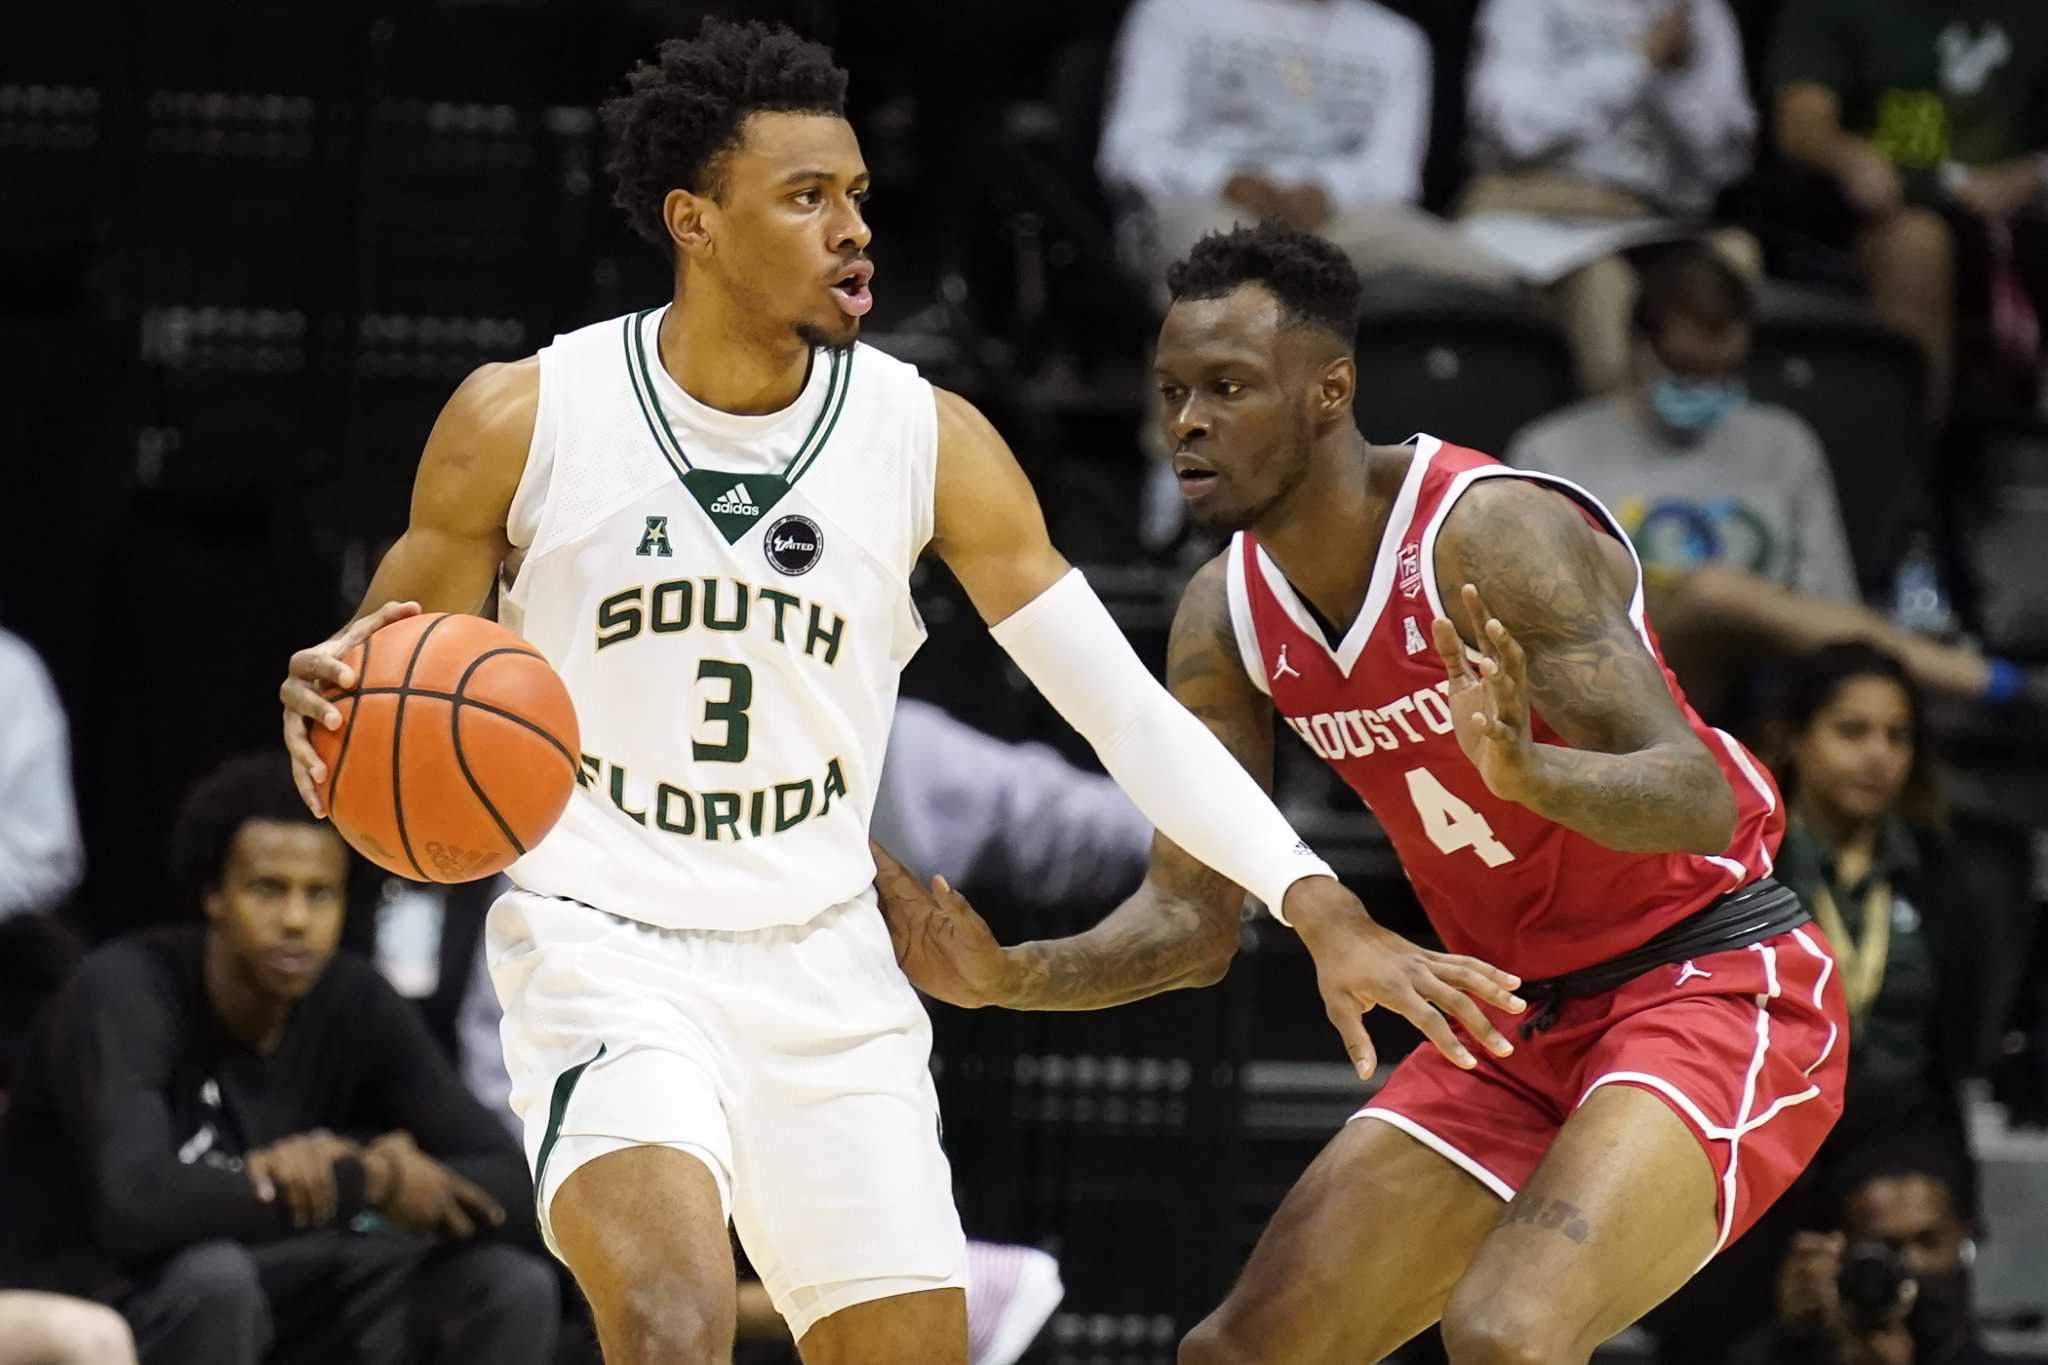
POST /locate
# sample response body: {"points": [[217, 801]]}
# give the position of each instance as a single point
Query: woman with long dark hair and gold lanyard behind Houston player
{"points": [[1865, 850]]}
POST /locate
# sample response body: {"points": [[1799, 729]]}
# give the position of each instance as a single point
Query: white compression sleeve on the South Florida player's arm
{"points": [[1166, 760]]}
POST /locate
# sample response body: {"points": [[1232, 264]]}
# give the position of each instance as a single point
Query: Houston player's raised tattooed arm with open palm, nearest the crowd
{"points": [[1545, 599]]}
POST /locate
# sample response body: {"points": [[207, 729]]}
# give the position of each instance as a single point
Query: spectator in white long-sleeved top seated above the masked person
{"points": [[1598, 126]]}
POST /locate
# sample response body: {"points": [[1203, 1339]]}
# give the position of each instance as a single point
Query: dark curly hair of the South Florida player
{"points": [[683, 112]]}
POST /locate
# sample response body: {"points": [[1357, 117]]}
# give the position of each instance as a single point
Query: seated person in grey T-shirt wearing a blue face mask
{"points": [[1697, 472]]}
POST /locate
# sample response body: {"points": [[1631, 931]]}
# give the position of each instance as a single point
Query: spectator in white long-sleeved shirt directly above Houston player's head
{"points": [[1308, 112]]}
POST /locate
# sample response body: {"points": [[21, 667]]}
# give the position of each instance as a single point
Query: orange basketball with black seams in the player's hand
{"points": [[458, 748]]}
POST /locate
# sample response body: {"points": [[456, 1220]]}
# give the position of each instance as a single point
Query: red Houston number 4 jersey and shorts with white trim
{"points": [[1748, 1047]]}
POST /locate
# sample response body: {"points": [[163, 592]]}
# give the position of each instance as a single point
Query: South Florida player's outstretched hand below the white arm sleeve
{"points": [[1363, 967]]}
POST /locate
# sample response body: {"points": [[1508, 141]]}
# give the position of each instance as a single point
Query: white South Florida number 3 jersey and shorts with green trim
{"points": [[693, 957]]}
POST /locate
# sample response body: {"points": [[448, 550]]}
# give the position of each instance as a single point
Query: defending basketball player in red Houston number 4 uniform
{"points": [[1465, 646]]}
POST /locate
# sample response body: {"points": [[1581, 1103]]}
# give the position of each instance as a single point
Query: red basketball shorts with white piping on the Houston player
{"points": [[1748, 1047]]}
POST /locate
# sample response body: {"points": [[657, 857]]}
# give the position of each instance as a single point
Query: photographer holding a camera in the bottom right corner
{"points": [[1889, 1280]]}
